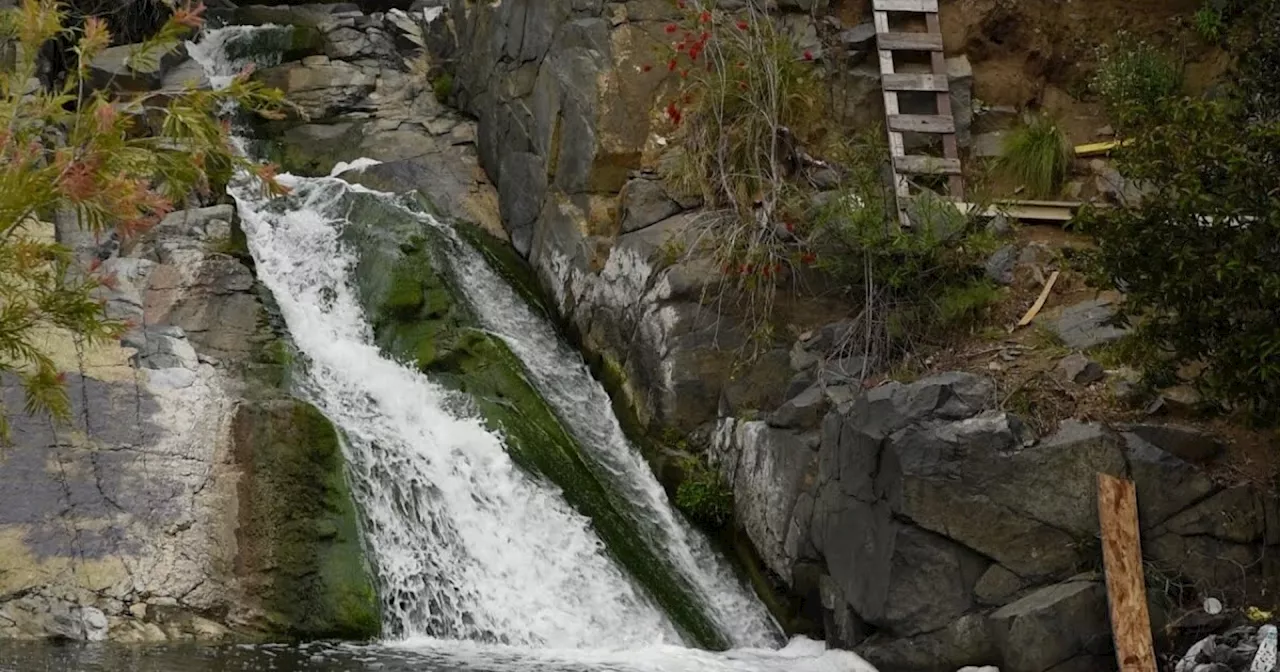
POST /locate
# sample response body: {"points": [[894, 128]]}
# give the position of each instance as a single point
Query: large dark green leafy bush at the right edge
{"points": [[1197, 255]]}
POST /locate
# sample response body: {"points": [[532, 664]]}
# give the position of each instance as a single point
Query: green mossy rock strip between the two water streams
{"points": [[420, 319]]}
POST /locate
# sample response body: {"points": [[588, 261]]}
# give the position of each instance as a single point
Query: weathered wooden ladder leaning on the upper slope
{"points": [[894, 83]]}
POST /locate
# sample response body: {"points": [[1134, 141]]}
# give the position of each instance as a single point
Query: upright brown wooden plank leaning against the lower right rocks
{"points": [[1122, 557]]}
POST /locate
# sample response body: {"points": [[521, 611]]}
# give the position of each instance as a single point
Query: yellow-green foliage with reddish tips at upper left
{"points": [[76, 150]]}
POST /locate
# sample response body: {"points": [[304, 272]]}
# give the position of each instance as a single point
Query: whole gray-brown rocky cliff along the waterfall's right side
{"points": [[925, 524]]}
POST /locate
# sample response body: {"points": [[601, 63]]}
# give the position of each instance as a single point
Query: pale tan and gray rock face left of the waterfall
{"points": [[134, 522]]}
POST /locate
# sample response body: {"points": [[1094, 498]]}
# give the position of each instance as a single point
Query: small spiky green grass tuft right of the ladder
{"points": [[1039, 156]]}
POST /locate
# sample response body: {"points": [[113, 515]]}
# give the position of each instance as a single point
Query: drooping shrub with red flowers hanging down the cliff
{"points": [[748, 99]]}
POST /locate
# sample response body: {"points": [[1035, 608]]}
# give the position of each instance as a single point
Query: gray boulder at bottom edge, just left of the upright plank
{"points": [[1052, 627]]}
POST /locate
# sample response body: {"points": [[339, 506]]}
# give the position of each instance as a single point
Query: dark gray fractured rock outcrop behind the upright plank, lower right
{"points": [[945, 534]]}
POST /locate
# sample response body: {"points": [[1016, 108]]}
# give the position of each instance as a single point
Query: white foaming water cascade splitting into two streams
{"points": [[476, 557]]}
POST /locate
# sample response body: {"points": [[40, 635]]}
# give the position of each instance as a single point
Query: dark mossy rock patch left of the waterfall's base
{"points": [[299, 541]]}
